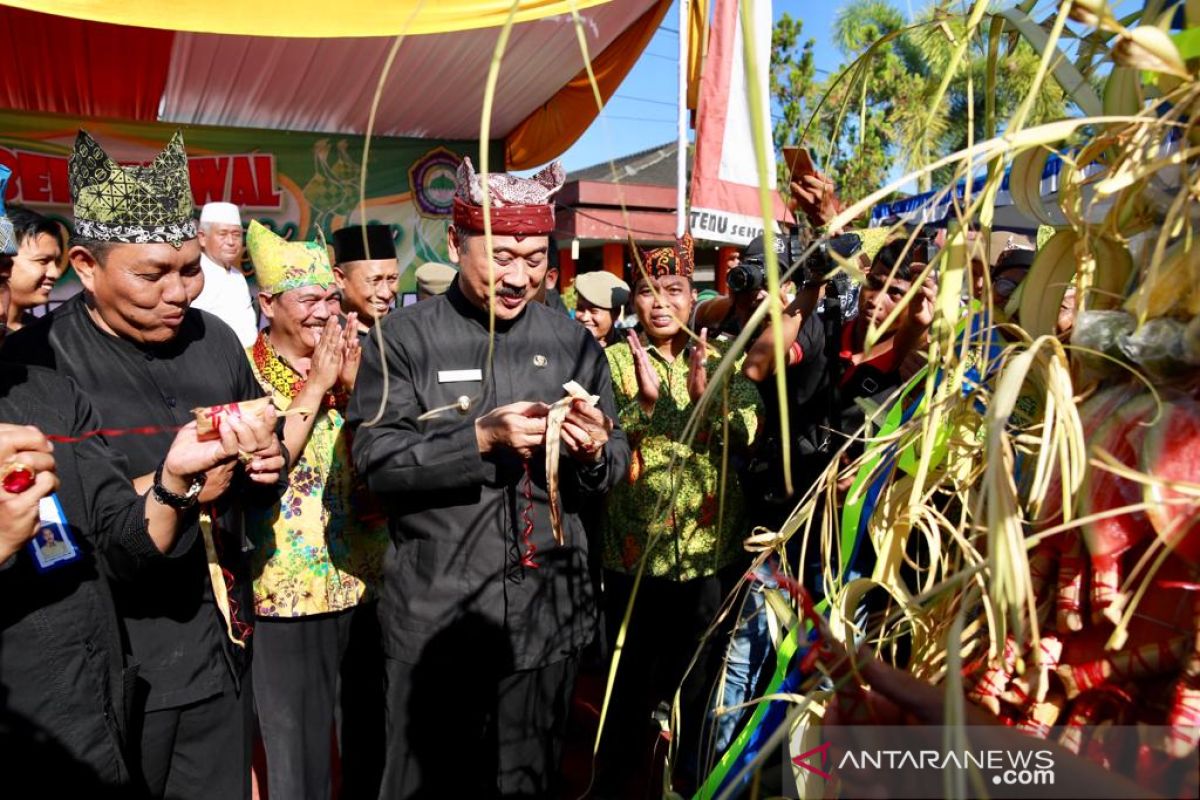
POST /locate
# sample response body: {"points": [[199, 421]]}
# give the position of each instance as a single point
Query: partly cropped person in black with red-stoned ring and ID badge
{"points": [[64, 683]]}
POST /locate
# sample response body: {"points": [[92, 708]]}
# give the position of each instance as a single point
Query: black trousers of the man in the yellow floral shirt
{"points": [[316, 676]]}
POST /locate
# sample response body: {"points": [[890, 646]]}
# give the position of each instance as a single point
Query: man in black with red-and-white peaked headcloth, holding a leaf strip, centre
{"points": [[484, 615]]}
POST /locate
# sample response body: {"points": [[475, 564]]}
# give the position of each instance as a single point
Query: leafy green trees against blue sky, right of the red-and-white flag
{"points": [[886, 109]]}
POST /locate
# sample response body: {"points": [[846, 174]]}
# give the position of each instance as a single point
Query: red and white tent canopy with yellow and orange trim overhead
{"points": [[435, 88]]}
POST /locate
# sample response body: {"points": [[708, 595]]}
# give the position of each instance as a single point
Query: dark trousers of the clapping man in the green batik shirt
{"points": [[670, 618]]}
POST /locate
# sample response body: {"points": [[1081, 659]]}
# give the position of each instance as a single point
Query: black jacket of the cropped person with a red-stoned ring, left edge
{"points": [[64, 687]]}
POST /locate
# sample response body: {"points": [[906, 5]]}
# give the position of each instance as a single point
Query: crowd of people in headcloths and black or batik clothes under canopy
{"points": [[367, 576]]}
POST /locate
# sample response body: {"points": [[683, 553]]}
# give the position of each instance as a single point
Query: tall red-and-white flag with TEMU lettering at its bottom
{"points": [[725, 206]]}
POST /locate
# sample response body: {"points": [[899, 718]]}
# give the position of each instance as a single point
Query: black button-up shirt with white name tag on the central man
{"points": [[458, 519]]}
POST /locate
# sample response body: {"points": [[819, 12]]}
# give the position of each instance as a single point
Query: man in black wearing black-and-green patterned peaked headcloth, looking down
{"points": [[143, 358]]}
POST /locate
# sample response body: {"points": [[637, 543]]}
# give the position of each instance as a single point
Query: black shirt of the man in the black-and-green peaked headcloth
{"points": [[175, 630]]}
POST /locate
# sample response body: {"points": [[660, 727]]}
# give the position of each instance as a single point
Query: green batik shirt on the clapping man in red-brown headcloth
{"points": [[695, 536]]}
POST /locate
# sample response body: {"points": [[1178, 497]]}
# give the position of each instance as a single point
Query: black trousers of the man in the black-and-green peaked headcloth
{"points": [[199, 751]]}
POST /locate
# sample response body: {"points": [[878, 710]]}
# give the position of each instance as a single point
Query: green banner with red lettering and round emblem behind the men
{"points": [[292, 183]]}
